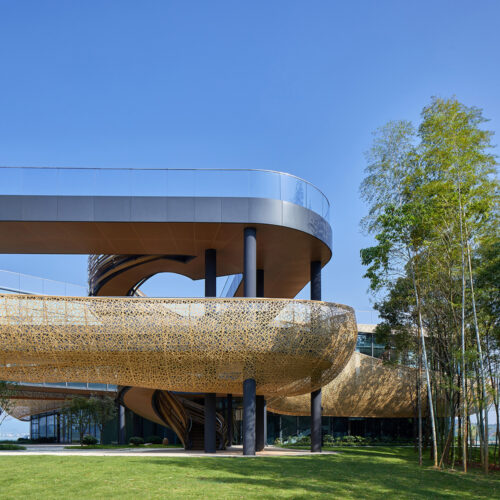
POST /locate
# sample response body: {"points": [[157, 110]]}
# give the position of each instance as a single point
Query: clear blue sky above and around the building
{"points": [[295, 86]]}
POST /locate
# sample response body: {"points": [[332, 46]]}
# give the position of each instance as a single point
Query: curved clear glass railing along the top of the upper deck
{"points": [[162, 182]]}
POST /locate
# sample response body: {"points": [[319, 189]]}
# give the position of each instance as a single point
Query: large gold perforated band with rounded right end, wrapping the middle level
{"points": [[289, 347]]}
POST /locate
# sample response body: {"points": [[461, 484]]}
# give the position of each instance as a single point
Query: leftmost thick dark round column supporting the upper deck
{"points": [[210, 437]]}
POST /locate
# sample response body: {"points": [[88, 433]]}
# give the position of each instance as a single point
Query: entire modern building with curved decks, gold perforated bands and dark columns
{"points": [[210, 371]]}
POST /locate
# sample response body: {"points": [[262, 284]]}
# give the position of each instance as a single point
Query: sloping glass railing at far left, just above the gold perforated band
{"points": [[11, 282]]}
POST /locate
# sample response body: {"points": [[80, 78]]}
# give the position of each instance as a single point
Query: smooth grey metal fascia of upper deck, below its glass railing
{"points": [[141, 209]]}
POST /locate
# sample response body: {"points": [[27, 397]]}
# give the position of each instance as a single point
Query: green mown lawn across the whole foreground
{"points": [[358, 473]]}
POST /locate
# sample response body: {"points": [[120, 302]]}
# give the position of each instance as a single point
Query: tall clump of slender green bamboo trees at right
{"points": [[433, 201]]}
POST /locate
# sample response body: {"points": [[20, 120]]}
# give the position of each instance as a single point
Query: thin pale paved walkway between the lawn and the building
{"points": [[234, 451]]}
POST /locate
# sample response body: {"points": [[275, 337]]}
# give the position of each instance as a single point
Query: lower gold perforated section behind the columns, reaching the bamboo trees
{"points": [[365, 388]]}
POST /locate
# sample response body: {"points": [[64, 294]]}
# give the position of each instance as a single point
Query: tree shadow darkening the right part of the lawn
{"points": [[357, 473]]}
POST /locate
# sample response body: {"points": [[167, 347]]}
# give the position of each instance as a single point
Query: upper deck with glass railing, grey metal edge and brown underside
{"points": [[172, 212]]}
